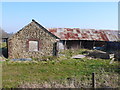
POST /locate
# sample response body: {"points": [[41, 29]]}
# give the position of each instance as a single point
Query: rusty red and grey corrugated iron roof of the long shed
{"points": [[84, 34]]}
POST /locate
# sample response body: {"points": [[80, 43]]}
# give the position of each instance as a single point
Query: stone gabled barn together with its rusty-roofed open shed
{"points": [[34, 41]]}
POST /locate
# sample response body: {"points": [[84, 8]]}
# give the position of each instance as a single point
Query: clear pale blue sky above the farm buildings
{"points": [[85, 15]]}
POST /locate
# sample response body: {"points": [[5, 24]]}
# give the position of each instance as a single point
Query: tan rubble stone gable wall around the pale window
{"points": [[18, 44]]}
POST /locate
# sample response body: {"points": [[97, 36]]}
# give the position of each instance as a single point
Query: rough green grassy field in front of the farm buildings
{"points": [[60, 72]]}
